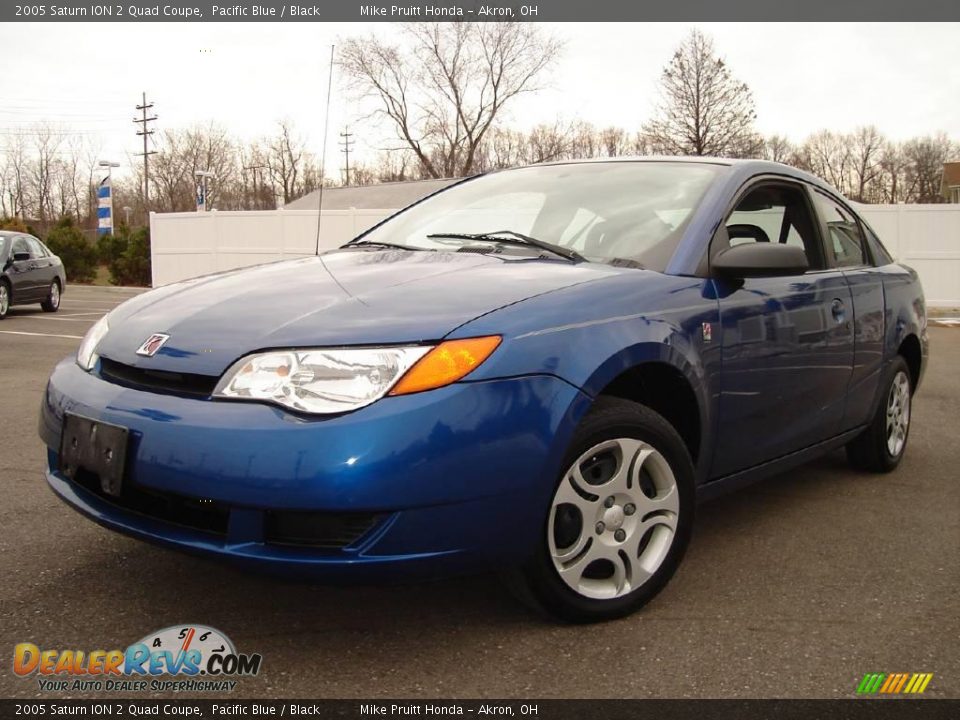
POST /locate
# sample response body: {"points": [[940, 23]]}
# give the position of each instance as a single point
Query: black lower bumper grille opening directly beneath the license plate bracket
{"points": [[195, 513]]}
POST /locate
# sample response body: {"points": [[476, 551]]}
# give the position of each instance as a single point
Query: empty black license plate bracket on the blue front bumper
{"points": [[97, 447]]}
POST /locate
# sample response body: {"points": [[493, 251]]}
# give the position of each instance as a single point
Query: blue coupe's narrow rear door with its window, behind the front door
{"points": [[848, 251]]}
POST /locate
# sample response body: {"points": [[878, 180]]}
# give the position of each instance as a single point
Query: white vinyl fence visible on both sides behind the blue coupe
{"points": [[184, 245]]}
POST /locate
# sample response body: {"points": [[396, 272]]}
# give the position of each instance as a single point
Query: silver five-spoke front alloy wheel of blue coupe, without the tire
{"points": [[613, 518]]}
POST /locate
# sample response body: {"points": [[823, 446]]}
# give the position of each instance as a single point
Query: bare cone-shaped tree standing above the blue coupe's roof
{"points": [[704, 109]]}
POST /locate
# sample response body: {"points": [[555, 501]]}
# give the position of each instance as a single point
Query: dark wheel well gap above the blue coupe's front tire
{"points": [[665, 390]]}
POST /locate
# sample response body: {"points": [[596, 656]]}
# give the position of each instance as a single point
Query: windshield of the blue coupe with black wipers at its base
{"points": [[618, 212]]}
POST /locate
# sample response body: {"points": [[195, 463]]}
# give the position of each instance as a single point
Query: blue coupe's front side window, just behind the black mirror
{"points": [[775, 213]]}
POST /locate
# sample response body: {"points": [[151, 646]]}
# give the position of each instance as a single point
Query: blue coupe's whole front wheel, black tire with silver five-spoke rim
{"points": [[604, 558]]}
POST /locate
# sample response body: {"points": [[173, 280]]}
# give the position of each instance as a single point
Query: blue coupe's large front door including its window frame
{"points": [[787, 341]]}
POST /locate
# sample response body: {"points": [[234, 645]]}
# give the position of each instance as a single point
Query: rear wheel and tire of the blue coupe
{"points": [[880, 447]]}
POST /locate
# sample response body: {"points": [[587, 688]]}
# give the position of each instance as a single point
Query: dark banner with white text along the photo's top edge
{"points": [[473, 10]]}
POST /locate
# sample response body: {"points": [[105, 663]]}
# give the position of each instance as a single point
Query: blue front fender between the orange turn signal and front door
{"points": [[589, 335]]}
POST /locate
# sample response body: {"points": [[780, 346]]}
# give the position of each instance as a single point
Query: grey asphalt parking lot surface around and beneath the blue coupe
{"points": [[792, 588]]}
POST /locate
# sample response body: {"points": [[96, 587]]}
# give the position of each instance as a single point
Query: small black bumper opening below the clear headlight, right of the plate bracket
{"points": [[317, 529]]}
